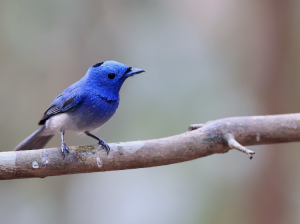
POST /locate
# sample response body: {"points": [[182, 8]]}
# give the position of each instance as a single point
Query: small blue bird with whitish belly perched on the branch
{"points": [[82, 107]]}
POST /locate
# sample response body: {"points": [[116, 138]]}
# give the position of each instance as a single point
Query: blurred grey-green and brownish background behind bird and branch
{"points": [[204, 60]]}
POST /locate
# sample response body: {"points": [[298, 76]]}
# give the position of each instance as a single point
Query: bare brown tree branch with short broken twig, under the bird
{"points": [[202, 140]]}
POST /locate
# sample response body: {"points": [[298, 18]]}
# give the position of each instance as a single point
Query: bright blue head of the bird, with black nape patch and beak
{"points": [[107, 77]]}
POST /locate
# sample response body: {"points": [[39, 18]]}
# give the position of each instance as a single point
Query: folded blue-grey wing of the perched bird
{"points": [[62, 103]]}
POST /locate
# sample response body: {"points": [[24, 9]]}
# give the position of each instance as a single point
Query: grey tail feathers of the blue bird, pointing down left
{"points": [[34, 141]]}
